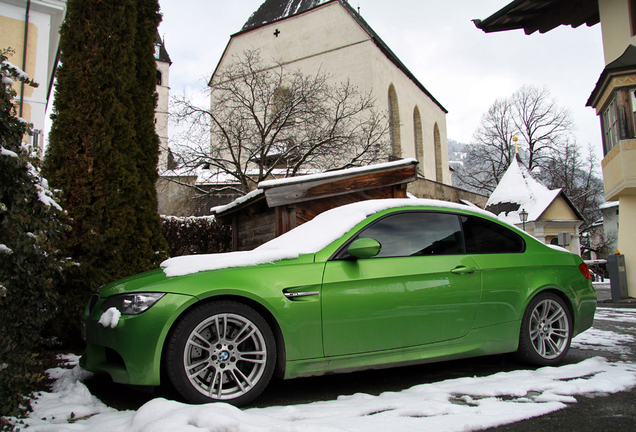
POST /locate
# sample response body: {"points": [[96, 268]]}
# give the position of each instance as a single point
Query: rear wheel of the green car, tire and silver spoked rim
{"points": [[546, 331]]}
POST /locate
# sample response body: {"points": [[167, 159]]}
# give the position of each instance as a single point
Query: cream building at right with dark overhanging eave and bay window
{"points": [[613, 97]]}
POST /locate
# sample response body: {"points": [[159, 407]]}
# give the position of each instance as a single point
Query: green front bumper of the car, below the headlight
{"points": [[131, 351]]}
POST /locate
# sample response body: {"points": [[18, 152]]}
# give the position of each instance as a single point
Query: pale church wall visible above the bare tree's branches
{"points": [[329, 39]]}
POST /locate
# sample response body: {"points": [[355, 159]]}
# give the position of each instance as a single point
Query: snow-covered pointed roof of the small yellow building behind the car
{"points": [[518, 190]]}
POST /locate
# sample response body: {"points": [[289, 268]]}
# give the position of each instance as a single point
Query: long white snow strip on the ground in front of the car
{"points": [[462, 404]]}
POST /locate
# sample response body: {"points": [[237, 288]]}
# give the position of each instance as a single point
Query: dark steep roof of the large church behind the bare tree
{"points": [[275, 10]]}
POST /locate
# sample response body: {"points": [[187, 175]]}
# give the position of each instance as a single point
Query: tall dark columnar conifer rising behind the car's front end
{"points": [[101, 150]]}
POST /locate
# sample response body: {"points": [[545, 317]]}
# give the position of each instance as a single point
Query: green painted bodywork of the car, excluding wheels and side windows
{"points": [[336, 315]]}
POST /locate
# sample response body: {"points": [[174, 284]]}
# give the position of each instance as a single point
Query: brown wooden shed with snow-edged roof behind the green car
{"points": [[278, 206]]}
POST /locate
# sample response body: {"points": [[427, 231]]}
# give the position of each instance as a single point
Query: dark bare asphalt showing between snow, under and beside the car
{"points": [[615, 412]]}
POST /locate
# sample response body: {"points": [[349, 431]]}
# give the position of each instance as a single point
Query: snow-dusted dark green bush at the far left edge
{"points": [[30, 266]]}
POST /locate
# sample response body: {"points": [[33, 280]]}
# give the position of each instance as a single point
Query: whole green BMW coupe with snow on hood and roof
{"points": [[379, 283]]}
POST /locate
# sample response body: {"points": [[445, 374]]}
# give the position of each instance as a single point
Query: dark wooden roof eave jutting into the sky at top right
{"points": [[541, 15]]}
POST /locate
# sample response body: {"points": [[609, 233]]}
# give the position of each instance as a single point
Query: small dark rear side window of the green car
{"points": [[483, 236]]}
